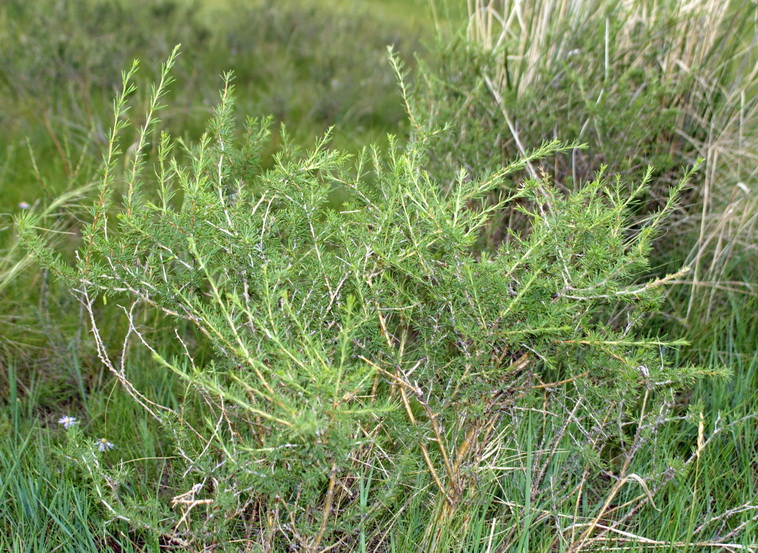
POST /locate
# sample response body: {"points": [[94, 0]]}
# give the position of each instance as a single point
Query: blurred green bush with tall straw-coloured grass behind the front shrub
{"points": [[640, 84]]}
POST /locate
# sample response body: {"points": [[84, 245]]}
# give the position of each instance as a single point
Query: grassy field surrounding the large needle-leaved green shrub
{"points": [[690, 482]]}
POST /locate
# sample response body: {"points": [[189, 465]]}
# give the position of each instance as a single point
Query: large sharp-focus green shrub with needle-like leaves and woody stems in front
{"points": [[343, 361]]}
